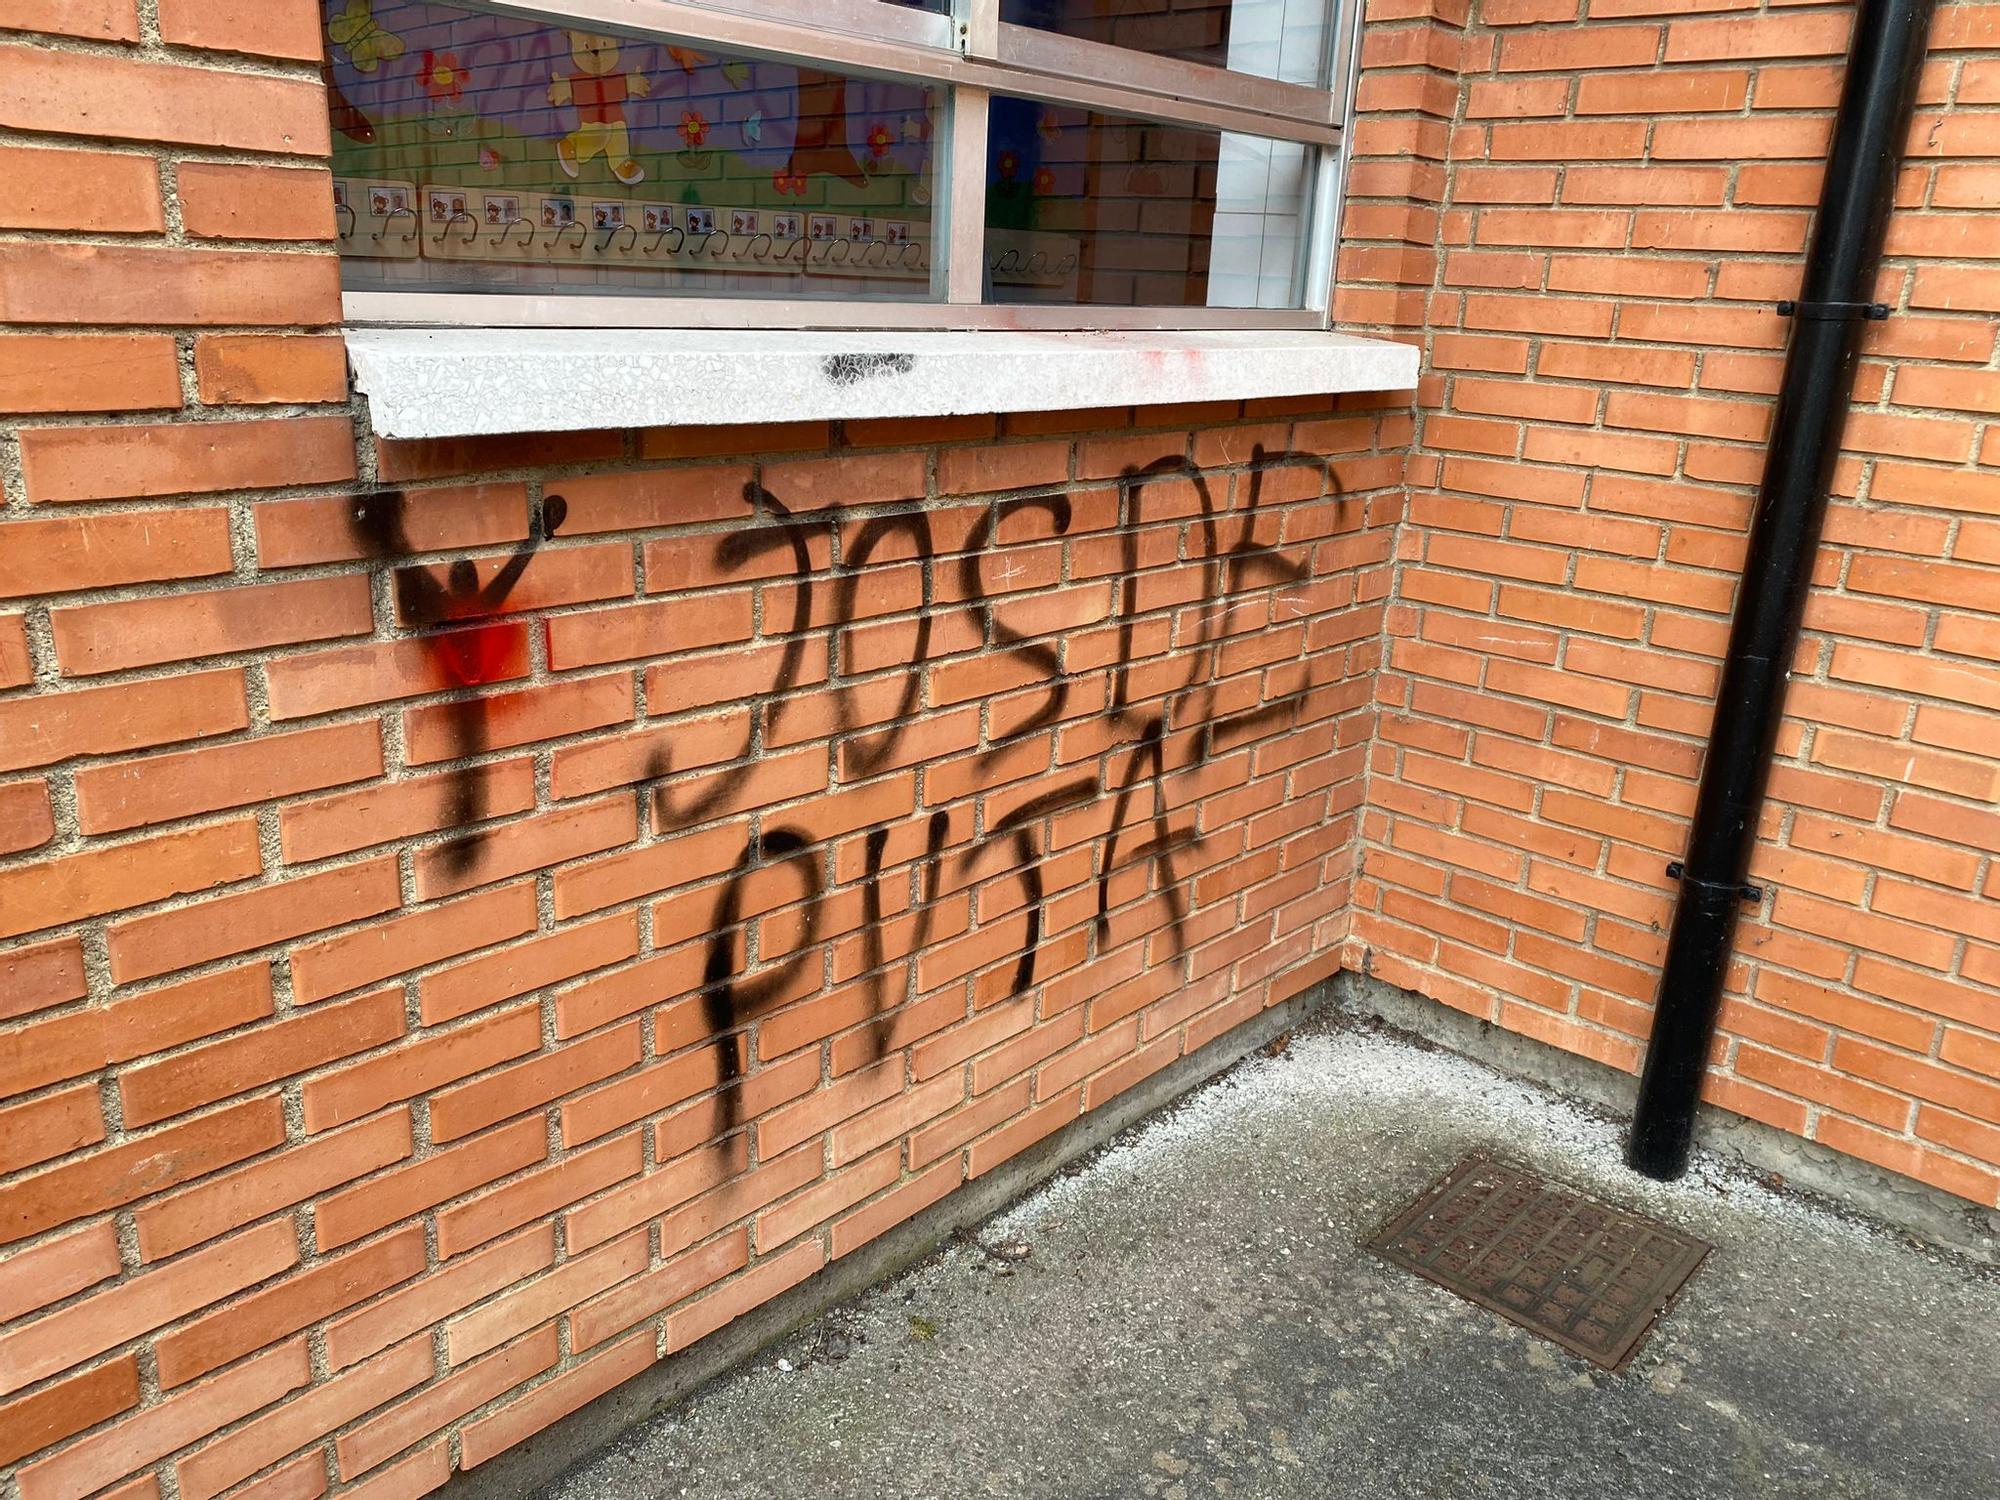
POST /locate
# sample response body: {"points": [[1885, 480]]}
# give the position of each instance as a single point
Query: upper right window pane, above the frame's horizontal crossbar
{"points": [[1269, 39]]}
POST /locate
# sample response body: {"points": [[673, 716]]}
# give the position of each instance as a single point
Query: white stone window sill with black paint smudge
{"points": [[457, 383]]}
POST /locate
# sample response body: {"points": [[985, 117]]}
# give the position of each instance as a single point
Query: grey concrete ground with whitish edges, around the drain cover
{"points": [[1191, 1315]]}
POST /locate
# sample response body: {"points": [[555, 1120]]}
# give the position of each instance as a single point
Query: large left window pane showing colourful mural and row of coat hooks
{"points": [[495, 153]]}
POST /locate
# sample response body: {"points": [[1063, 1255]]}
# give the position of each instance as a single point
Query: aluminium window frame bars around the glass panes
{"points": [[969, 55]]}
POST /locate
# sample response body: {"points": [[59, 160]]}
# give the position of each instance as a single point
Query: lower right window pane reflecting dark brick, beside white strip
{"points": [[1107, 211]]}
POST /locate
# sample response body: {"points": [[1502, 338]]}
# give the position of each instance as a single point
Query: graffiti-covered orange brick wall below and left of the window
{"points": [[477, 917]]}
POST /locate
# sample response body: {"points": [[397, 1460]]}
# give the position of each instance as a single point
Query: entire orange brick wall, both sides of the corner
{"points": [[477, 917]]}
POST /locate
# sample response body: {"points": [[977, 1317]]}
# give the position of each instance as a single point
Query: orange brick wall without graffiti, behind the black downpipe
{"points": [[1587, 213]]}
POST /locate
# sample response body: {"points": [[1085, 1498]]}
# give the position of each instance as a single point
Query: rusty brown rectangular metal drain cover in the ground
{"points": [[1559, 1263]]}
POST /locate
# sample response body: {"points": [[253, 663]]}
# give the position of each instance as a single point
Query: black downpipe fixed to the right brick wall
{"points": [[1813, 409]]}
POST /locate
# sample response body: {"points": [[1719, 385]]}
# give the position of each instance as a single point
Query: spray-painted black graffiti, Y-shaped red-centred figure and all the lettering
{"points": [[1153, 725]]}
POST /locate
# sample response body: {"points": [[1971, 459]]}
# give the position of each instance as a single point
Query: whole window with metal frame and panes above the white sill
{"points": [[839, 163]]}
